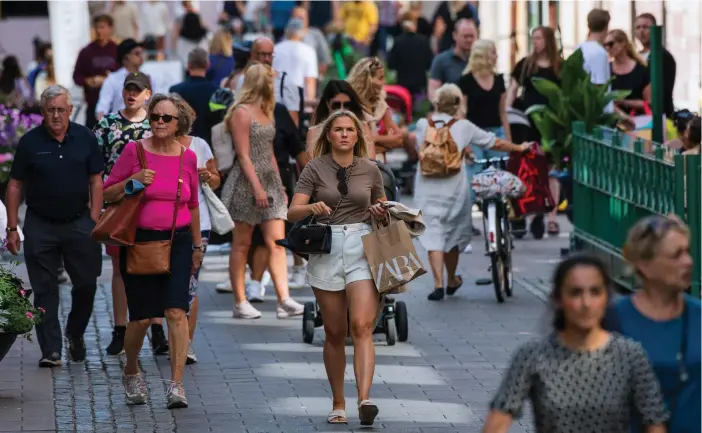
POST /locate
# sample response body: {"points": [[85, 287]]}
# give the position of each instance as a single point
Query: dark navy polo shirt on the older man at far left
{"points": [[56, 175]]}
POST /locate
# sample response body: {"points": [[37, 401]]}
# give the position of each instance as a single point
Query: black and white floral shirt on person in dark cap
{"points": [[114, 131]]}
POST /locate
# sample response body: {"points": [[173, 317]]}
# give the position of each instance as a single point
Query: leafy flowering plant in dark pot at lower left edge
{"points": [[17, 314]]}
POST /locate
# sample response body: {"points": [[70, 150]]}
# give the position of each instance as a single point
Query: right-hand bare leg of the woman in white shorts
{"points": [[362, 298]]}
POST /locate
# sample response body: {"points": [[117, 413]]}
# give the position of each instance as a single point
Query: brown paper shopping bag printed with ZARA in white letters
{"points": [[391, 255]]}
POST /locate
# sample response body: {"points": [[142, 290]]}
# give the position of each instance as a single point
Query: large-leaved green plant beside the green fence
{"points": [[575, 98]]}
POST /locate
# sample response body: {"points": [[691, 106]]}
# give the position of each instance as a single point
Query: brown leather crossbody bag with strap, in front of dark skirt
{"points": [[154, 258]]}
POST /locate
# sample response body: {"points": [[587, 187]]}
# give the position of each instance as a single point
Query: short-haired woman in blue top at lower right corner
{"points": [[663, 318]]}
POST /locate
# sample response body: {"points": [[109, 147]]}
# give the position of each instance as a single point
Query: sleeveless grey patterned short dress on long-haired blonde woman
{"points": [[237, 193]]}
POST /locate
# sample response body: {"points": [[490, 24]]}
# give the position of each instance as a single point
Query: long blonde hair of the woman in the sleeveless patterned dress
{"points": [[256, 89]]}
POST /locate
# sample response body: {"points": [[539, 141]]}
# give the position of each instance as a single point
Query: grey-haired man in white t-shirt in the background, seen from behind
{"points": [[297, 59]]}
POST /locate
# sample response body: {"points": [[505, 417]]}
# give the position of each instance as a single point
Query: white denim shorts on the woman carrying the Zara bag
{"points": [[345, 263]]}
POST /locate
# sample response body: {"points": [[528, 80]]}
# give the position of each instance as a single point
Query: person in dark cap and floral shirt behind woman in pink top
{"points": [[113, 132]]}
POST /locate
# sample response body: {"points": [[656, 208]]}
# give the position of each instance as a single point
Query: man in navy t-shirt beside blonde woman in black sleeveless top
{"points": [[449, 65]]}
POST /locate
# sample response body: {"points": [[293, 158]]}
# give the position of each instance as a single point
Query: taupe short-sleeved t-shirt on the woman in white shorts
{"points": [[318, 180]]}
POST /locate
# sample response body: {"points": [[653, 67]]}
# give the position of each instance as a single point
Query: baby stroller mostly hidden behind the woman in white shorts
{"points": [[393, 319]]}
